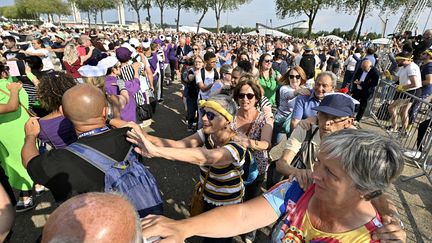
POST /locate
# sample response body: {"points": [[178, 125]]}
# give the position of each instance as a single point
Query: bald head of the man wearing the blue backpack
{"points": [[84, 104]]}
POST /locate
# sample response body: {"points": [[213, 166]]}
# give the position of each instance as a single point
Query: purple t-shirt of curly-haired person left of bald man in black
{"points": [[58, 132]]}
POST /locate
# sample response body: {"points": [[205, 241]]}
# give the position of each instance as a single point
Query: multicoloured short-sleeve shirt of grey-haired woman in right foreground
{"points": [[290, 202]]}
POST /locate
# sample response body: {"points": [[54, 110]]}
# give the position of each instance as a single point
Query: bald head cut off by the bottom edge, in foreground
{"points": [[93, 217]]}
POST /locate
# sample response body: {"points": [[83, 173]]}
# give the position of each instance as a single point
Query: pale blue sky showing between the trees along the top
{"points": [[262, 11]]}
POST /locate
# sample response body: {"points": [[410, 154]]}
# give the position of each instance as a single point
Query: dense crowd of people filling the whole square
{"points": [[70, 96]]}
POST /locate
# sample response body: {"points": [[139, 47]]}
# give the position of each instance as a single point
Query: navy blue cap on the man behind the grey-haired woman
{"points": [[337, 104]]}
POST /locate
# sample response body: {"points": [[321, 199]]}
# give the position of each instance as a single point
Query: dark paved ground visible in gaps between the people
{"points": [[176, 181]]}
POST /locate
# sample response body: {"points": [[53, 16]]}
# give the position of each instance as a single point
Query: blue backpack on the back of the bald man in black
{"points": [[128, 177]]}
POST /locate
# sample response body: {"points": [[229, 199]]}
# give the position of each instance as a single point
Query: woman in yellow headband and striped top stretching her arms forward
{"points": [[222, 161]]}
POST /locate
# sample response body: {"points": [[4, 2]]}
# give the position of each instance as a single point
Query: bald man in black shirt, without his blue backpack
{"points": [[63, 172]]}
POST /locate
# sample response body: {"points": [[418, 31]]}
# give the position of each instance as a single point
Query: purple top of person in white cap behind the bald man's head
{"points": [[132, 86]]}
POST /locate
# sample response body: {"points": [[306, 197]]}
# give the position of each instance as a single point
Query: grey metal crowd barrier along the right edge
{"points": [[416, 138]]}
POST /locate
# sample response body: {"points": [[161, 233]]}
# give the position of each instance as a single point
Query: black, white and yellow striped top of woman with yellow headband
{"points": [[224, 185]]}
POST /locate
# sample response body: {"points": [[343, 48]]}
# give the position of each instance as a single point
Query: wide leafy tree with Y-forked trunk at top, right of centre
{"points": [[293, 8]]}
